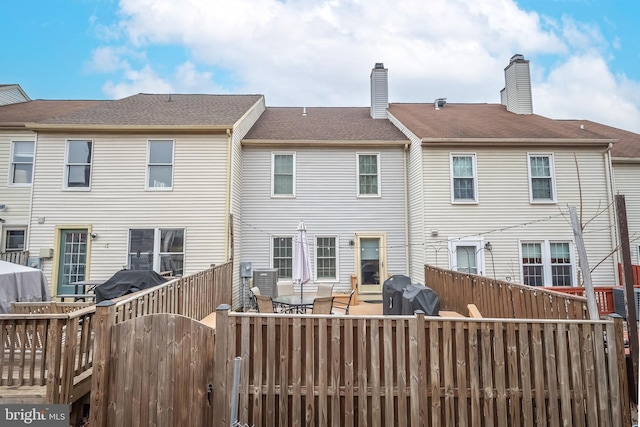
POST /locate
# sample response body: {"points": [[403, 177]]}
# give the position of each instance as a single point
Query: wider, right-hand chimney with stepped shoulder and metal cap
{"points": [[516, 94]]}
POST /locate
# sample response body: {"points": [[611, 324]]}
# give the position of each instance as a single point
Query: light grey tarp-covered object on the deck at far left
{"points": [[19, 283]]}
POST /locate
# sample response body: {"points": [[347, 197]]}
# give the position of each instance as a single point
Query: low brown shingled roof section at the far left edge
{"points": [[18, 114]]}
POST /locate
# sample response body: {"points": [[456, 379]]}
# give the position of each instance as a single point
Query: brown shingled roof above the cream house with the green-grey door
{"points": [[157, 110]]}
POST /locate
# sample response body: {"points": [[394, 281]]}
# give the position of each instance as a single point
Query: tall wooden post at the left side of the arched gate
{"points": [[104, 321]]}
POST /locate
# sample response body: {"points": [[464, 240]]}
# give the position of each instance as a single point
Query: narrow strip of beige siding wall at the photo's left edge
{"points": [[17, 198]]}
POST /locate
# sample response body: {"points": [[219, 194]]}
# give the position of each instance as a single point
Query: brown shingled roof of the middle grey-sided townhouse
{"points": [[297, 124]]}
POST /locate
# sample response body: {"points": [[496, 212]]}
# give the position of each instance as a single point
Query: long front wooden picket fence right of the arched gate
{"points": [[420, 371]]}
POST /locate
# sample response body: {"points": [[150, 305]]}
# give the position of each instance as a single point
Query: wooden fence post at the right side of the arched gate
{"points": [[220, 367]]}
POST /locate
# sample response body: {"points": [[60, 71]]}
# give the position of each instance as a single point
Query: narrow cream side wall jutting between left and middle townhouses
{"points": [[239, 132]]}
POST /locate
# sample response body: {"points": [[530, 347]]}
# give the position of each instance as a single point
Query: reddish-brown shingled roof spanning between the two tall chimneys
{"points": [[484, 121]]}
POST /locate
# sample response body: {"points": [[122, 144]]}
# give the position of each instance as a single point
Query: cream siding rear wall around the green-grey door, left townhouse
{"points": [[118, 200]]}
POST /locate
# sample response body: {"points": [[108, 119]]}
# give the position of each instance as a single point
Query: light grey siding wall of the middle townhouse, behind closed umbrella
{"points": [[325, 199]]}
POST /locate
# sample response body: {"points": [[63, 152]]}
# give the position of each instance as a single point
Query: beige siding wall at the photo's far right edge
{"points": [[627, 179]]}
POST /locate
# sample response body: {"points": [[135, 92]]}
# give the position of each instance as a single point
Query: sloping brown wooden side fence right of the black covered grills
{"points": [[496, 298]]}
